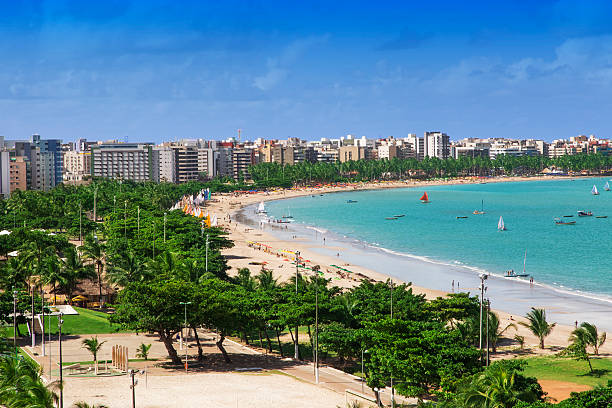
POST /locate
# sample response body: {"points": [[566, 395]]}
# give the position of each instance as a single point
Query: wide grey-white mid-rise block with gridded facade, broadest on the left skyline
{"points": [[124, 161]]}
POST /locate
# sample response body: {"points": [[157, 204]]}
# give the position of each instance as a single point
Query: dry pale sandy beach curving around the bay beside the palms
{"points": [[256, 247]]}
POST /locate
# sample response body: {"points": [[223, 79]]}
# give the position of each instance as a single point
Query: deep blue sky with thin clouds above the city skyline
{"points": [[156, 70]]}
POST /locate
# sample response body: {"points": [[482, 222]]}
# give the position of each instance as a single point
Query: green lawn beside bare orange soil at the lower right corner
{"points": [[570, 370]]}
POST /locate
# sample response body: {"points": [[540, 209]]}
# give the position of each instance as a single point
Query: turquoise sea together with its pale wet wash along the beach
{"points": [[430, 246]]}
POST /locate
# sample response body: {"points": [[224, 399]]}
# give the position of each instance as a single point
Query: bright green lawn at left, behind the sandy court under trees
{"points": [[86, 322]]}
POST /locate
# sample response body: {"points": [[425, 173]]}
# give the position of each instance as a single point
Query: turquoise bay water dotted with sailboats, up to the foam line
{"points": [[569, 257]]}
